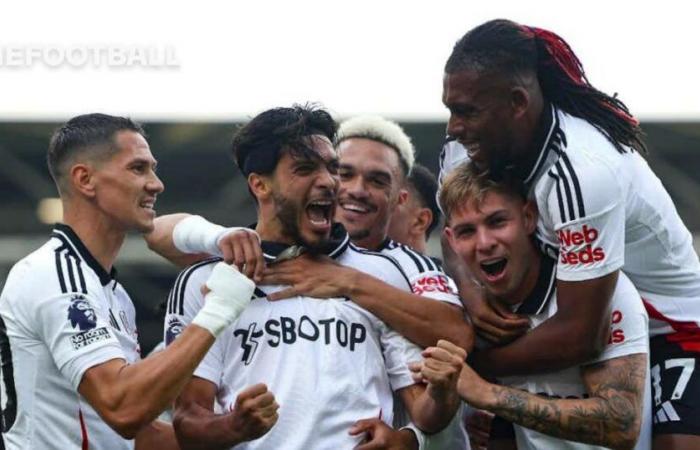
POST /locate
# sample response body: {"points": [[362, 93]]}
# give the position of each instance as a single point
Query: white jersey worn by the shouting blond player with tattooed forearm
{"points": [[628, 335]]}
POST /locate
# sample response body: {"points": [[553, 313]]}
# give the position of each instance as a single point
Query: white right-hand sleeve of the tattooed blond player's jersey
{"points": [[629, 328]]}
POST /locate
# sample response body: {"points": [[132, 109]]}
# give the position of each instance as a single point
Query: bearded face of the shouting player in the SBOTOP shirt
{"points": [[304, 188]]}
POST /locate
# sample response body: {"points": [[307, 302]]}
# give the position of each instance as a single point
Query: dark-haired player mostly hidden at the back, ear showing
{"points": [[414, 221]]}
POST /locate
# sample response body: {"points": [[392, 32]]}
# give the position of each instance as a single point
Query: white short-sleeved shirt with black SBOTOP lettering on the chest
{"points": [[328, 362]]}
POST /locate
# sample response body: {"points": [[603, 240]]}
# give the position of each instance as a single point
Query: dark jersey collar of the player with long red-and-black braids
{"points": [[549, 141]]}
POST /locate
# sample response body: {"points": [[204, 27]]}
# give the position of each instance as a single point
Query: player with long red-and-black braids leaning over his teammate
{"points": [[520, 103]]}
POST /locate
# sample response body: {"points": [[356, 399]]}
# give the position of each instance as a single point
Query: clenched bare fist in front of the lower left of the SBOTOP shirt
{"points": [[253, 414]]}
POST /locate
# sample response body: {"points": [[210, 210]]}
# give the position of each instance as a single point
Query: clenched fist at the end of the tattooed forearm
{"points": [[440, 369]]}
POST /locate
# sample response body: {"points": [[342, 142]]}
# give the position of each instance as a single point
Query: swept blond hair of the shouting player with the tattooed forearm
{"points": [[466, 183]]}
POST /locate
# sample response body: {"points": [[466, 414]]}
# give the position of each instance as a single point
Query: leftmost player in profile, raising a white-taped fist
{"points": [[71, 370]]}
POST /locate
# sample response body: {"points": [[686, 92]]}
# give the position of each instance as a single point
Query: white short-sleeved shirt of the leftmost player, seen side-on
{"points": [[60, 314]]}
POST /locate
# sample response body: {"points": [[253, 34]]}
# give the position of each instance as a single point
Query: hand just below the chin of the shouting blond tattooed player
{"points": [[494, 322]]}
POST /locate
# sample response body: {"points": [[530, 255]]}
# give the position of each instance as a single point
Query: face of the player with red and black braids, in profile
{"points": [[481, 117]]}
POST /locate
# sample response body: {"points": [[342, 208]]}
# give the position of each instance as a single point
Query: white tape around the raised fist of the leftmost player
{"points": [[230, 292]]}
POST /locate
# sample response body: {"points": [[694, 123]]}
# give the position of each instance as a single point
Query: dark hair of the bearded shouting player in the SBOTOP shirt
{"points": [[258, 145]]}
